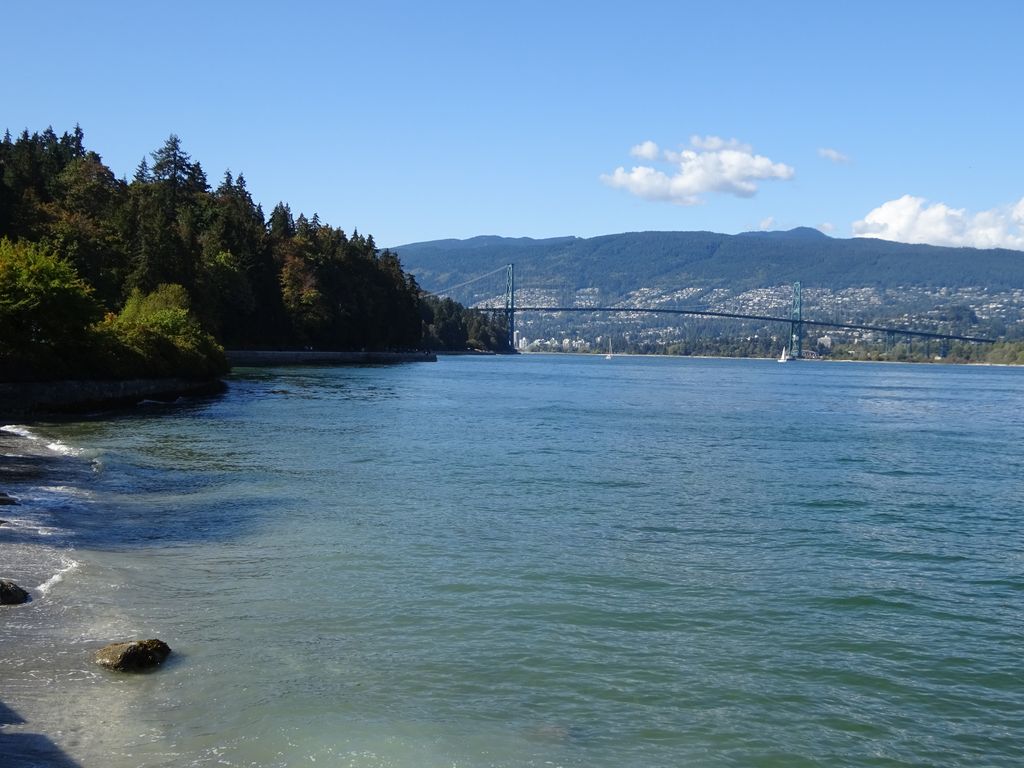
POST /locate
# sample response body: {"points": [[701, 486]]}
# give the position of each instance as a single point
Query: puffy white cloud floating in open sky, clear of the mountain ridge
{"points": [[714, 165]]}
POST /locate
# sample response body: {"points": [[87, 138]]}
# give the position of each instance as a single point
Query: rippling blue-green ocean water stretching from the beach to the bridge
{"points": [[528, 562]]}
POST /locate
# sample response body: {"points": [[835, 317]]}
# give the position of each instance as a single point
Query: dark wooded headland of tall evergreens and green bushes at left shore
{"points": [[172, 261]]}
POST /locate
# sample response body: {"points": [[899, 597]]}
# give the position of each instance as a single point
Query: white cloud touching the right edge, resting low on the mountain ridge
{"points": [[912, 220]]}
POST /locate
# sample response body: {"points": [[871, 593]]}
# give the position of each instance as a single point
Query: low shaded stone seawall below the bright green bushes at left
{"points": [[21, 399]]}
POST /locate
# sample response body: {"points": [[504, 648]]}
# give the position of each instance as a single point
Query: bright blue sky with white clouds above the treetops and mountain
{"points": [[418, 121]]}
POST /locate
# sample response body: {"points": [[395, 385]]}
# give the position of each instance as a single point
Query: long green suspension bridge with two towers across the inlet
{"points": [[796, 321]]}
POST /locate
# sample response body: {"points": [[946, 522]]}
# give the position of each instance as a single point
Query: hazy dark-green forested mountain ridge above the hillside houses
{"points": [[617, 265]]}
